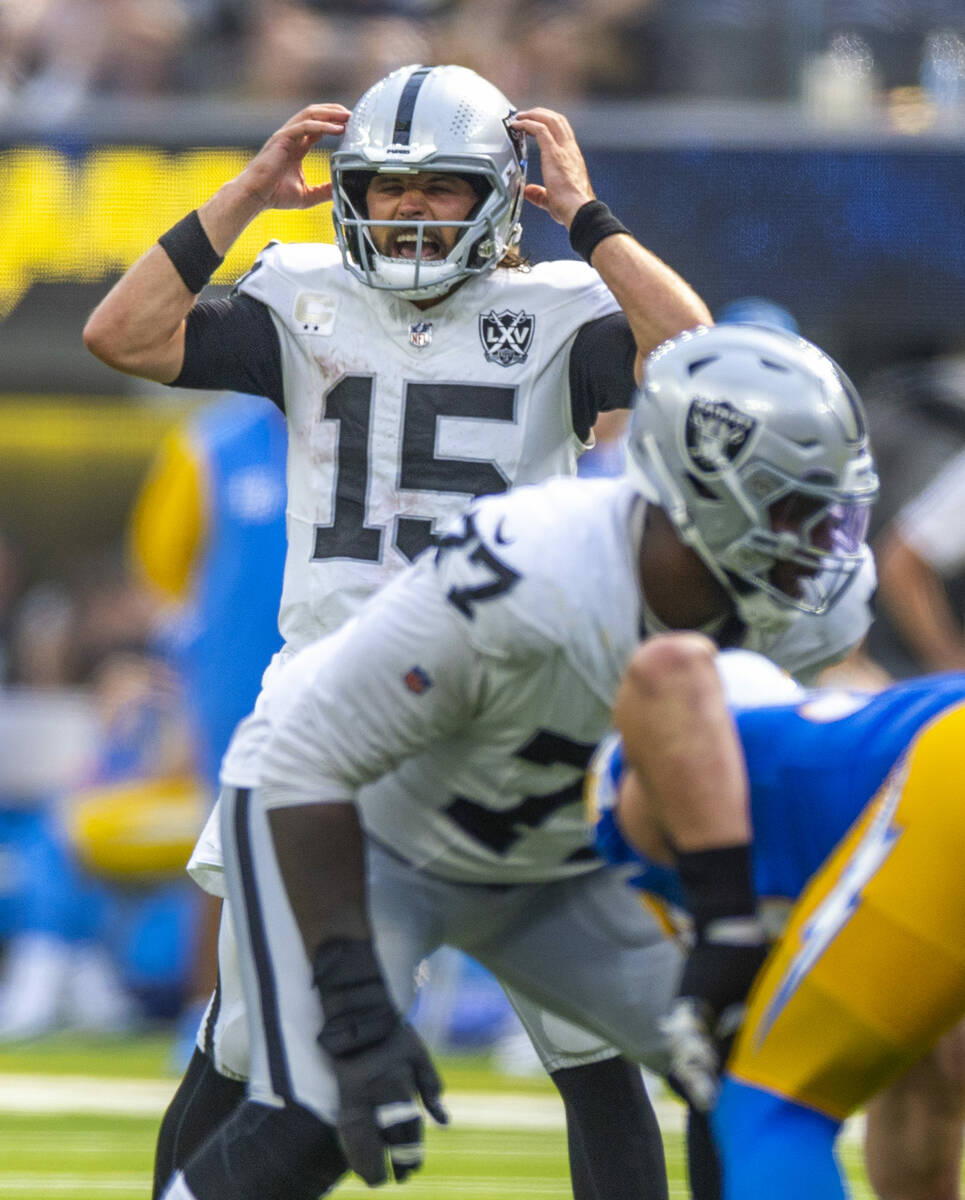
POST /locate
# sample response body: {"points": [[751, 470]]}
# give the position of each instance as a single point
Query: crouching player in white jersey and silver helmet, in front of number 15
{"points": [[453, 721]]}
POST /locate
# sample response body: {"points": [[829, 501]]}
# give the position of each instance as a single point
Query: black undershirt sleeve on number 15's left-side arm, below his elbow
{"points": [[233, 345]]}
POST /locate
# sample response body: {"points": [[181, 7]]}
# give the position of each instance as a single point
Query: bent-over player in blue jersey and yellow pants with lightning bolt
{"points": [[837, 812]]}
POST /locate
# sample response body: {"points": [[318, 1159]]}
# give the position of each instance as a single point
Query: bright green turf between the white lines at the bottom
{"points": [[45, 1156]]}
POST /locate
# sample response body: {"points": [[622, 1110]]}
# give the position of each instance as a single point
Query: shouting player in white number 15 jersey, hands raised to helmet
{"points": [[419, 364]]}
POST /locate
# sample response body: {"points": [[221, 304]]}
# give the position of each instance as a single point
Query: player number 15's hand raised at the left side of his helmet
{"points": [[275, 176]]}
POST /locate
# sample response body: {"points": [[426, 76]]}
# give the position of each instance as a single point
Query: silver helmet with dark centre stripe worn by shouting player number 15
{"points": [[440, 119]]}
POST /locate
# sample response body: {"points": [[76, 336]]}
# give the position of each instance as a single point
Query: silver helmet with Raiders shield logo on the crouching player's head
{"points": [[754, 443]]}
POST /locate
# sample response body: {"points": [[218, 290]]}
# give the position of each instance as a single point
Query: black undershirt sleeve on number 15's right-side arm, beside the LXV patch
{"points": [[602, 370]]}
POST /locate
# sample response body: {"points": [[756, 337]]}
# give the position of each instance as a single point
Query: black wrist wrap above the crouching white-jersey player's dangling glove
{"points": [[356, 1001]]}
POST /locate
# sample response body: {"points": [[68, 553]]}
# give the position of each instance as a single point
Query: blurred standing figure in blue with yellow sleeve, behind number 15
{"points": [[208, 539]]}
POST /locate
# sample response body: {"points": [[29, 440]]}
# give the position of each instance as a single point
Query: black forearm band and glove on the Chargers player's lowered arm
{"points": [[729, 951]]}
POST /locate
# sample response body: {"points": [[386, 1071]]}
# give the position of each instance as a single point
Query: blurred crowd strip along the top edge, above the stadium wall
{"points": [[57, 53]]}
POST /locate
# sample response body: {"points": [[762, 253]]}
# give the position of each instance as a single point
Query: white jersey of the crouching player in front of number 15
{"points": [[463, 706]]}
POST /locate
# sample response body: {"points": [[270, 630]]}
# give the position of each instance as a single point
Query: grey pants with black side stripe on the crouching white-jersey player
{"points": [[584, 949]]}
